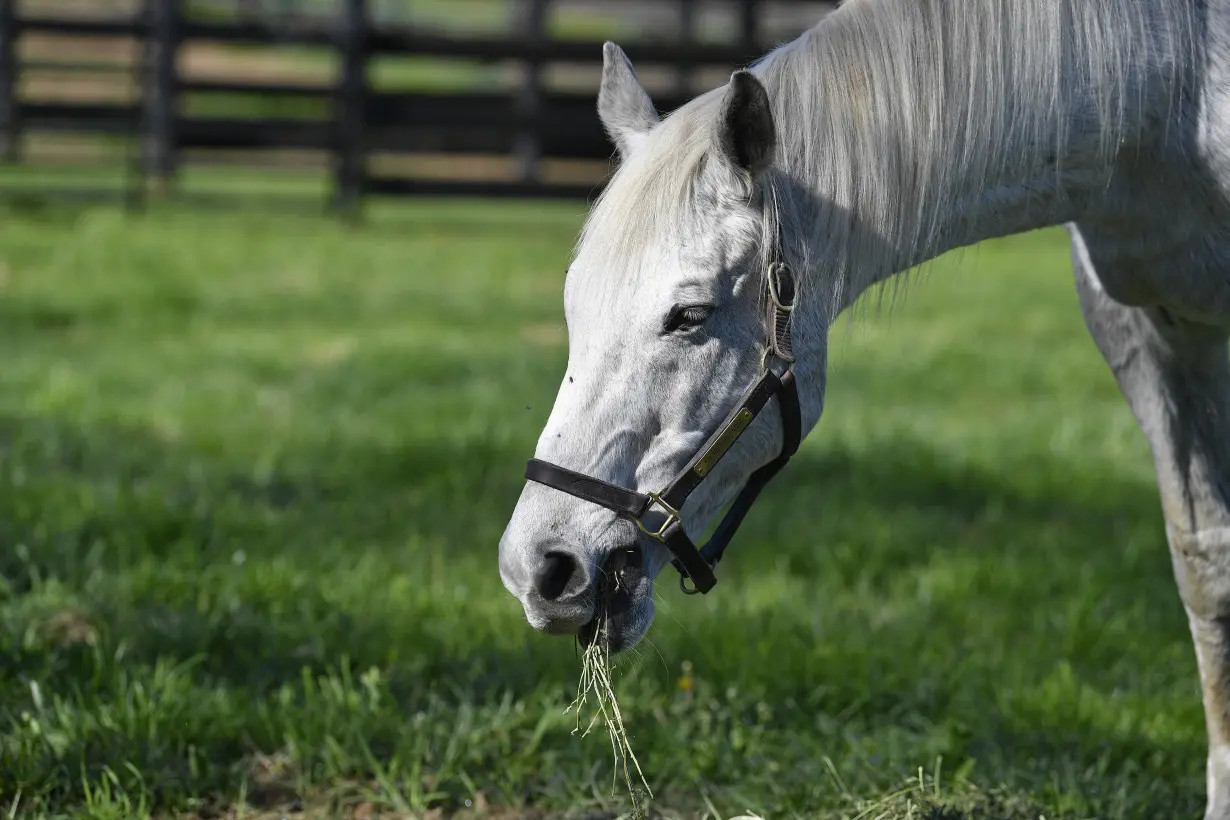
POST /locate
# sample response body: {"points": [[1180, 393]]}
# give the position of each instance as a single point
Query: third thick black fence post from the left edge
{"points": [[350, 110]]}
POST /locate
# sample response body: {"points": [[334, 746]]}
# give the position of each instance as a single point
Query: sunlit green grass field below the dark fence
{"points": [[255, 469]]}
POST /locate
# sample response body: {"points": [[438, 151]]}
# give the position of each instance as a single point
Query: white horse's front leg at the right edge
{"points": [[1176, 378]]}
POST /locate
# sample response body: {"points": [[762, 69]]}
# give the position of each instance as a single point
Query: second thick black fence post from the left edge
{"points": [[162, 90]]}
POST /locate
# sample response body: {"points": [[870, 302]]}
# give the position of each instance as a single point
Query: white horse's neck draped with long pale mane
{"points": [[923, 126]]}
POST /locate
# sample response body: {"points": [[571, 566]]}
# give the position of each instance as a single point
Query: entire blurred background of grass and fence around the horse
{"points": [[281, 320]]}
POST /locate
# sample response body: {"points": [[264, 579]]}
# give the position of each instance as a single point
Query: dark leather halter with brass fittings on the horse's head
{"points": [[693, 562]]}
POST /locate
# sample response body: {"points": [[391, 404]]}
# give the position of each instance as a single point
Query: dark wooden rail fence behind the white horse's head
{"points": [[523, 138]]}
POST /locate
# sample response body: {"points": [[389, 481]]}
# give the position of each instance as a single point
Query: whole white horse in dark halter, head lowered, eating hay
{"points": [[890, 133]]}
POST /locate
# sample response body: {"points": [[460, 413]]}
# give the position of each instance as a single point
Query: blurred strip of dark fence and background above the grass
{"points": [[493, 98]]}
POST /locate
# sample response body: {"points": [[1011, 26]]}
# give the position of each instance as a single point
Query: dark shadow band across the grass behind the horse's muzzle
{"points": [[106, 499]]}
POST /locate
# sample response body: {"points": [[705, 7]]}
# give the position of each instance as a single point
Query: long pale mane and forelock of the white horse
{"points": [[891, 111]]}
